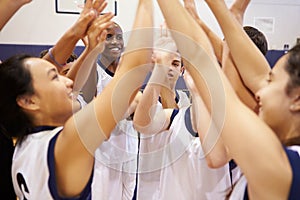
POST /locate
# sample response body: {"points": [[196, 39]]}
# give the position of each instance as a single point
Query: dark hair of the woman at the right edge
{"points": [[292, 67]]}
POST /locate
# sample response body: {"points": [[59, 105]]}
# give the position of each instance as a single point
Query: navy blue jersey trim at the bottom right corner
{"points": [[294, 159]]}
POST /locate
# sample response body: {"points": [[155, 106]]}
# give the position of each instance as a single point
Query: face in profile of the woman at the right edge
{"points": [[274, 103]]}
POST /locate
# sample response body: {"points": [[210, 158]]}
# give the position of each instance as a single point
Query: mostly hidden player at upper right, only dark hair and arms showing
{"points": [[238, 9]]}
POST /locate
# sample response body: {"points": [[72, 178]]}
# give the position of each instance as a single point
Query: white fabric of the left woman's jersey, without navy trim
{"points": [[30, 169]]}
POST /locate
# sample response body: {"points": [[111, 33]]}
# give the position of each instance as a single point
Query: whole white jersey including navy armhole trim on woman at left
{"points": [[41, 165]]}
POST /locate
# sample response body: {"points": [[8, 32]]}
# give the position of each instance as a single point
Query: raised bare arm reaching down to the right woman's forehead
{"points": [[251, 64]]}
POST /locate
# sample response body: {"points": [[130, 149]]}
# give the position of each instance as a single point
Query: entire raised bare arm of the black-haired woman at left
{"points": [[88, 128]]}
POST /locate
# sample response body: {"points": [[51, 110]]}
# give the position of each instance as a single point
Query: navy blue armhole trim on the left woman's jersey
{"points": [[85, 194]]}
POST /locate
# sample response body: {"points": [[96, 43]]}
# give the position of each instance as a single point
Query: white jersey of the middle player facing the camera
{"points": [[173, 166]]}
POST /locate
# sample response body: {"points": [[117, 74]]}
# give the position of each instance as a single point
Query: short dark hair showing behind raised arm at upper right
{"points": [[258, 38]]}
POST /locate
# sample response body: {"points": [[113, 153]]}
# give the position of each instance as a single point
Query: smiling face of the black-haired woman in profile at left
{"points": [[53, 92]]}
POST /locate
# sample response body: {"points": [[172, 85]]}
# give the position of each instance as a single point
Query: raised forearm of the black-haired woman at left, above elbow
{"points": [[134, 65]]}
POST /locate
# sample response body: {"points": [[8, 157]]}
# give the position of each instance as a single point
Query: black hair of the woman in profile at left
{"points": [[15, 81]]}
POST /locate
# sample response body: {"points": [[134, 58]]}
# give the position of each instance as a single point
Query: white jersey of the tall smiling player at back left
{"points": [[115, 159]]}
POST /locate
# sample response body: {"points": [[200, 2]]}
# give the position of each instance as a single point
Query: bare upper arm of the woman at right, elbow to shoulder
{"points": [[258, 152]]}
